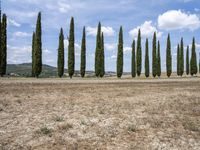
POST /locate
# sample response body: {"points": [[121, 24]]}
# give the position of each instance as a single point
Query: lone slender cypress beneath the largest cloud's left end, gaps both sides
{"points": [[168, 57]]}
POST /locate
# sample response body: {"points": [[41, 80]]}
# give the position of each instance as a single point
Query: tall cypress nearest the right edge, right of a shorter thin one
{"points": [[193, 61]]}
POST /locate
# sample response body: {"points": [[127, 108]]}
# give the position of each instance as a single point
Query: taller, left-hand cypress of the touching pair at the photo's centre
{"points": [[98, 51]]}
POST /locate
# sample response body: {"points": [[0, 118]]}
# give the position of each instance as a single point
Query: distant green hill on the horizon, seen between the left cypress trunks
{"points": [[24, 70]]}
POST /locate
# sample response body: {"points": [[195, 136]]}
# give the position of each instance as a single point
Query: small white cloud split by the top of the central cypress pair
{"points": [[108, 31]]}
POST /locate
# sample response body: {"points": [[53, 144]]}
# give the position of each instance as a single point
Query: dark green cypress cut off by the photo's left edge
{"points": [[3, 50]]}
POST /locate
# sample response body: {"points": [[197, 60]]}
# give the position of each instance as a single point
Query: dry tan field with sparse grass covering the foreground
{"points": [[108, 114]]}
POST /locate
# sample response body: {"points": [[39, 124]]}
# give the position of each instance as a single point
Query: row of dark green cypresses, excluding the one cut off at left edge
{"points": [[191, 65]]}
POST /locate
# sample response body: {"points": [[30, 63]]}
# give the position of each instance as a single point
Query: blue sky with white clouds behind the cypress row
{"points": [[180, 18]]}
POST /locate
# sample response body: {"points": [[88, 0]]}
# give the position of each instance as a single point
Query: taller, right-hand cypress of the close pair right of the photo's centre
{"points": [[139, 54]]}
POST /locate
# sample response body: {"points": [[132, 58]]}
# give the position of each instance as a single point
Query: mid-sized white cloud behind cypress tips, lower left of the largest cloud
{"points": [[147, 30]]}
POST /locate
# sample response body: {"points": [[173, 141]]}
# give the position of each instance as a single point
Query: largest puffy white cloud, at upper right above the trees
{"points": [[176, 19]]}
